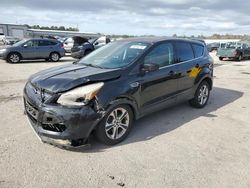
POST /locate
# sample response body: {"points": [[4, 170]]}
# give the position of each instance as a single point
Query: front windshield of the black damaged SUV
{"points": [[115, 55]]}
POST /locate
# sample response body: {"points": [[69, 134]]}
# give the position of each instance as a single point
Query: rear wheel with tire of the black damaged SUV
{"points": [[201, 95]]}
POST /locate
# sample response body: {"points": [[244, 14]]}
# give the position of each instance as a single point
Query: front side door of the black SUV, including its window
{"points": [[159, 86]]}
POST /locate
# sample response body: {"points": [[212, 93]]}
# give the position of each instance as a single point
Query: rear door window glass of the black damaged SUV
{"points": [[184, 52]]}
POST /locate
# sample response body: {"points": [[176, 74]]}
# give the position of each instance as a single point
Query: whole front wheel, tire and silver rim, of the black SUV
{"points": [[112, 129]]}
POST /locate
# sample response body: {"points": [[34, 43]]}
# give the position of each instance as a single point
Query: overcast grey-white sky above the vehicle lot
{"points": [[134, 17]]}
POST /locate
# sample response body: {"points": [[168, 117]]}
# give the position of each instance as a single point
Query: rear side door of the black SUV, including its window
{"points": [[188, 58]]}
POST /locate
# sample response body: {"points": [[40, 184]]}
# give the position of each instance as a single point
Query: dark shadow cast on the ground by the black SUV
{"points": [[170, 119]]}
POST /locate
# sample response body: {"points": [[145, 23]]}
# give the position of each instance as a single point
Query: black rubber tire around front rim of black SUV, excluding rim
{"points": [[101, 133]]}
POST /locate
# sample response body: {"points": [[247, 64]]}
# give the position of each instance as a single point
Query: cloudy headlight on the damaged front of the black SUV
{"points": [[80, 96]]}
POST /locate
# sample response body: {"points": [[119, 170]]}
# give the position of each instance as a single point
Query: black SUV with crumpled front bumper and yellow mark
{"points": [[107, 90]]}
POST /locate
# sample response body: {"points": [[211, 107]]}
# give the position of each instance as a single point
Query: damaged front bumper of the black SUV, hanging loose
{"points": [[69, 127]]}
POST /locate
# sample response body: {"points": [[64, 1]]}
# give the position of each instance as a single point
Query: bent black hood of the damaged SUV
{"points": [[66, 77]]}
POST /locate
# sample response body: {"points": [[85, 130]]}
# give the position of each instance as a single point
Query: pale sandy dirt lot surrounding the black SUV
{"points": [[177, 147]]}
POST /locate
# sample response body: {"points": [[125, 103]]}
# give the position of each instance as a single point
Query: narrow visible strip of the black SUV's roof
{"points": [[153, 40]]}
